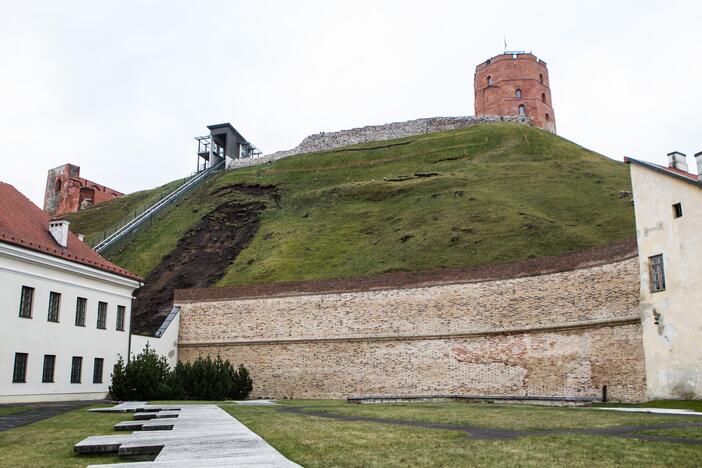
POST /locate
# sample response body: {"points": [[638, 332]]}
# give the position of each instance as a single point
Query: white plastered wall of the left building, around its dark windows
{"points": [[37, 336]]}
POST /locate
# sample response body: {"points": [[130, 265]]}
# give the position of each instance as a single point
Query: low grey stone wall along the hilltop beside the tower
{"points": [[331, 140]]}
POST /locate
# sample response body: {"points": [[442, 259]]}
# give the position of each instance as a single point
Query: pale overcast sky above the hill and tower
{"points": [[121, 88]]}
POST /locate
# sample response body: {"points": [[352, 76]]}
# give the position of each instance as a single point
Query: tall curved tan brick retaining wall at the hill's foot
{"points": [[566, 333]]}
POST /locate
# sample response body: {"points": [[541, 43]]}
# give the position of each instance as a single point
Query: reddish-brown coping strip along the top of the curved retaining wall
{"points": [[617, 251]]}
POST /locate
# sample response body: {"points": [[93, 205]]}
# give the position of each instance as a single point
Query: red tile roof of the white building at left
{"points": [[24, 224]]}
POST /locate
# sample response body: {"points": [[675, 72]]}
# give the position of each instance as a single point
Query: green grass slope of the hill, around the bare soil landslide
{"points": [[485, 194]]}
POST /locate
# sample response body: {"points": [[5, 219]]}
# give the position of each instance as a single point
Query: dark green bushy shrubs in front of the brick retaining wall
{"points": [[148, 377]]}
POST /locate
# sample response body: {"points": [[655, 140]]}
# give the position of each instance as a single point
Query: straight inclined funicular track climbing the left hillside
{"points": [[131, 223]]}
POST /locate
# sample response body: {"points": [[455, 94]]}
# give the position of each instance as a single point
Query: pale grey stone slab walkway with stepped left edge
{"points": [[184, 436]]}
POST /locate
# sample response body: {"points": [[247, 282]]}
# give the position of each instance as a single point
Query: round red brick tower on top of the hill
{"points": [[515, 83]]}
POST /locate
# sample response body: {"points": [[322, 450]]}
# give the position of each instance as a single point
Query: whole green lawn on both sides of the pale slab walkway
{"points": [[324, 442]]}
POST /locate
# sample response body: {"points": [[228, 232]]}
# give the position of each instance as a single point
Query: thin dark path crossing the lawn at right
{"points": [[494, 433]]}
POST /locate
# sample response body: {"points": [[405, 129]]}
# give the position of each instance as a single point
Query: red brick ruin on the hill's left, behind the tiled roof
{"points": [[67, 192]]}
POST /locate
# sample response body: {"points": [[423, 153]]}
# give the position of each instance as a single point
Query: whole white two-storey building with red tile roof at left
{"points": [[64, 310]]}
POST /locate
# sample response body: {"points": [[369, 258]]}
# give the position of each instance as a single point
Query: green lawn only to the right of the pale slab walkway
{"points": [[314, 441]]}
